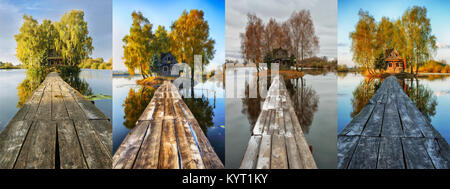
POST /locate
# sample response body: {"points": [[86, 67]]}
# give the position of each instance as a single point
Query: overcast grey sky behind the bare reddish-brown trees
{"points": [[323, 12]]}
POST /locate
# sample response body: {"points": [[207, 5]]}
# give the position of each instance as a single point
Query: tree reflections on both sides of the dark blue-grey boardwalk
{"points": [[420, 95]]}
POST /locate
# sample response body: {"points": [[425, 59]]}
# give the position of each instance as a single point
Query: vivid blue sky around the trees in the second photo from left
{"points": [[164, 13]]}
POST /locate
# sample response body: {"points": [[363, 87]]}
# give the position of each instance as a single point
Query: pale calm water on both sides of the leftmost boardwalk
{"points": [[93, 82]]}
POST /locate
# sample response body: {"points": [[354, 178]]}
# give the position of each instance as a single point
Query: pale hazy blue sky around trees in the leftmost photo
{"points": [[98, 15]]}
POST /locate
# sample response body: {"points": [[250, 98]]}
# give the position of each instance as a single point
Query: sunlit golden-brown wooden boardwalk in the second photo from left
{"points": [[166, 136]]}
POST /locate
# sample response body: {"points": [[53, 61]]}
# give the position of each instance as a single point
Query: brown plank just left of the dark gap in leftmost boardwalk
{"points": [[38, 151]]}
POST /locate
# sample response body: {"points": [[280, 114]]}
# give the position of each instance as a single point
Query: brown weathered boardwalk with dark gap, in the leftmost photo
{"points": [[57, 128]]}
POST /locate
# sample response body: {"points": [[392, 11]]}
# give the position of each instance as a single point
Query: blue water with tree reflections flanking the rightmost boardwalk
{"points": [[430, 93]]}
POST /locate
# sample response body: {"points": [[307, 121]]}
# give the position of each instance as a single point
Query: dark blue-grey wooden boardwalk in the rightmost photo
{"points": [[391, 133]]}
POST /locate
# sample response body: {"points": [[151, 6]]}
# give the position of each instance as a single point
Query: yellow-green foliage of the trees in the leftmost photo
{"points": [[67, 38]]}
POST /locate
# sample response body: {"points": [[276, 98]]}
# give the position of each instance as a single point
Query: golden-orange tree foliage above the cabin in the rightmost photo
{"points": [[410, 35]]}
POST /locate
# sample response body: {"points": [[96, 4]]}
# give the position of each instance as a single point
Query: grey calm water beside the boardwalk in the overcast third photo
{"points": [[315, 102]]}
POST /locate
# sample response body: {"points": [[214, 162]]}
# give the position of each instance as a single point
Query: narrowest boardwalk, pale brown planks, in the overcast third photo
{"points": [[277, 140]]}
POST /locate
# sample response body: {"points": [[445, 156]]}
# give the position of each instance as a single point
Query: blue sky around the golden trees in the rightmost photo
{"points": [[437, 11]]}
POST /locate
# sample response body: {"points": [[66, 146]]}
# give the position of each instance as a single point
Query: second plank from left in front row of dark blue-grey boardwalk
{"points": [[366, 153]]}
